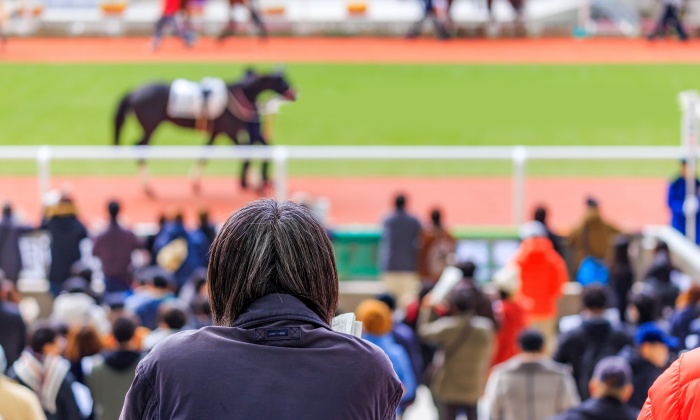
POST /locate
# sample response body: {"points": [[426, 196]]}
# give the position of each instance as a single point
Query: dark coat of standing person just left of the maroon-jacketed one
{"points": [[66, 233]]}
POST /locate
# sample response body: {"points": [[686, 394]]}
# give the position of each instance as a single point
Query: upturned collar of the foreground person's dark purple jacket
{"points": [[277, 307]]}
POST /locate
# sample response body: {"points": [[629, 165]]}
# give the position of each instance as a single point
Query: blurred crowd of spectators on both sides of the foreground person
{"points": [[496, 350]]}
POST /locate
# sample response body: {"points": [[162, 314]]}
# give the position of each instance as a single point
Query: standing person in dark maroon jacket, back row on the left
{"points": [[114, 247]]}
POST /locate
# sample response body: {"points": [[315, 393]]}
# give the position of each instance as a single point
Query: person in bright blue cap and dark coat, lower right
{"points": [[647, 360]]}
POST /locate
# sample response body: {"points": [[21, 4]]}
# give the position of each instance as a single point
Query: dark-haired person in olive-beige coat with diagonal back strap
{"points": [[466, 342]]}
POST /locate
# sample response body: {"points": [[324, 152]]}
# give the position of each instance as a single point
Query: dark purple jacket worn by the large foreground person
{"points": [[278, 361]]}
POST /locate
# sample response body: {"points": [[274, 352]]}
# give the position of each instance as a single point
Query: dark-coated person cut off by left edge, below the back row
{"points": [[13, 331]]}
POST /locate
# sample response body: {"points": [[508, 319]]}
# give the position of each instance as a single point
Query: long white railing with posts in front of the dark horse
{"points": [[280, 155]]}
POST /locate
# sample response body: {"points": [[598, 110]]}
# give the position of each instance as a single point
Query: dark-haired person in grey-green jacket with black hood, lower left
{"points": [[112, 372]]}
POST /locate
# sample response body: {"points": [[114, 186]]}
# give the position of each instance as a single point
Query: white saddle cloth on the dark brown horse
{"points": [[187, 99]]}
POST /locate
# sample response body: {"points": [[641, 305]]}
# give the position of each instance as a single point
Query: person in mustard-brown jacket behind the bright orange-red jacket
{"points": [[593, 237]]}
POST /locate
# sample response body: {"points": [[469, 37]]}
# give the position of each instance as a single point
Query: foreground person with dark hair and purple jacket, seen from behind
{"points": [[273, 286]]}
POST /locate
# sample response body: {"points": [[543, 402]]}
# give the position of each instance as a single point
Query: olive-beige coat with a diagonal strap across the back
{"points": [[460, 378]]}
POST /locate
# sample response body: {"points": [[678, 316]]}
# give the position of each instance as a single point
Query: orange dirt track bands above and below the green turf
{"points": [[466, 201]]}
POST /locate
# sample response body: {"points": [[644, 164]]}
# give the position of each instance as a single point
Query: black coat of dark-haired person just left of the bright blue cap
{"points": [[583, 347]]}
